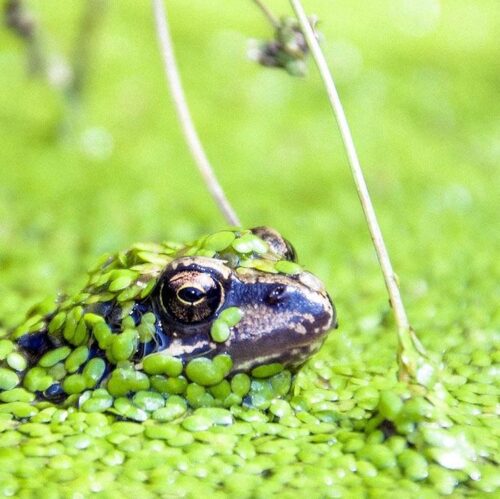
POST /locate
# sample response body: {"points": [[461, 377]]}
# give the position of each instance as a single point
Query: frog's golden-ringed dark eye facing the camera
{"points": [[191, 296]]}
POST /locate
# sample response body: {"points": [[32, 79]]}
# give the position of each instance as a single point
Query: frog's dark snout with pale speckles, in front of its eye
{"points": [[285, 319]]}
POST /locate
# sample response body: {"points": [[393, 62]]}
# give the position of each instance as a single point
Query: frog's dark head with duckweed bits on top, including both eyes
{"points": [[249, 300]]}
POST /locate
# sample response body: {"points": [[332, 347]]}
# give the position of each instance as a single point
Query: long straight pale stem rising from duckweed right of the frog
{"points": [[406, 336]]}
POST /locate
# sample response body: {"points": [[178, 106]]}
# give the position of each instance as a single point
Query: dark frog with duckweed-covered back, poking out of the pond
{"points": [[161, 316]]}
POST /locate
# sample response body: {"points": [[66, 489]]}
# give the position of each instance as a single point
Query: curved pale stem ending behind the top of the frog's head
{"points": [[184, 116]]}
